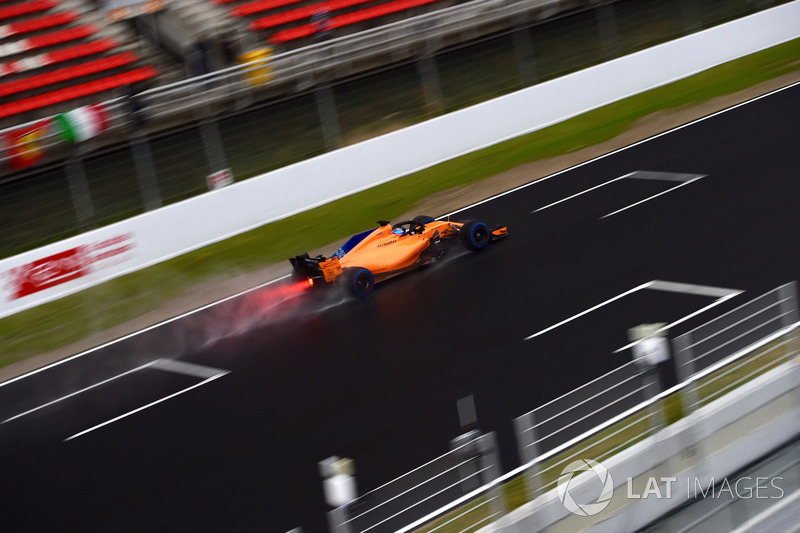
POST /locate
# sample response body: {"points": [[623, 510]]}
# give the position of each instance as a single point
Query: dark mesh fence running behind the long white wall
{"points": [[188, 136]]}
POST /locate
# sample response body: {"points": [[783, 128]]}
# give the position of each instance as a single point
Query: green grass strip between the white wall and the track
{"points": [[75, 317]]}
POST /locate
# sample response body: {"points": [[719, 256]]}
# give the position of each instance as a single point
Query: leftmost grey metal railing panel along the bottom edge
{"points": [[401, 501]]}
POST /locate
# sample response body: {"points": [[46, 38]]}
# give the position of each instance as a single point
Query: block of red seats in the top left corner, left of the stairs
{"points": [[56, 55]]}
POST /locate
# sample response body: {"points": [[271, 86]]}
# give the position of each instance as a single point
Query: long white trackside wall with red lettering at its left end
{"points": [[69, 266]]}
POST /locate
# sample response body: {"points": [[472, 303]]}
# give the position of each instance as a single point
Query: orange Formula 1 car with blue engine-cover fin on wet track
{"points": [[389, 250]]}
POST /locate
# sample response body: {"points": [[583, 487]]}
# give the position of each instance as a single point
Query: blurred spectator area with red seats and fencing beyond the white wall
{"points": [[110, 108]]}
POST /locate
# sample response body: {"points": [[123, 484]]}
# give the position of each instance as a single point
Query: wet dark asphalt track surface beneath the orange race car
{"points": [[277, 381]]}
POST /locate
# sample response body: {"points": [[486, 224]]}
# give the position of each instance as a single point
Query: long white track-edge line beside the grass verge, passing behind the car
{"points": [[459, 210]]}
